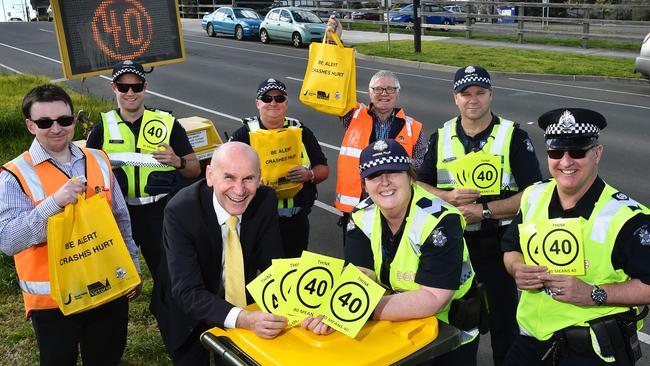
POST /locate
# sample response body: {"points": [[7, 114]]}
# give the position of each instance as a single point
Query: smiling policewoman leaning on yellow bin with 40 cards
{"points": [[411, 242]]}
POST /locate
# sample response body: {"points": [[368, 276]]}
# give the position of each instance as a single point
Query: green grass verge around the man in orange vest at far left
{"points": [[17, 341]]}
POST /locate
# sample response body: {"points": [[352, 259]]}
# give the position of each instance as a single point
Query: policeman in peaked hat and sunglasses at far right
{"points": [[583, 274]]}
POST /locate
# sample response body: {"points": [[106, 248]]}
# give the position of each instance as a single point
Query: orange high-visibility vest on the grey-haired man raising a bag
{"points": [[357, 137]]}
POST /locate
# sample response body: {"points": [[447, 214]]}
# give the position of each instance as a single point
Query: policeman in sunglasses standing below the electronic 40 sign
{"points": [[148, 149]]}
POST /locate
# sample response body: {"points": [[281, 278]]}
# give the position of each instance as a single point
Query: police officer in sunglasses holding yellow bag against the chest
{"points": [[272, 103]]}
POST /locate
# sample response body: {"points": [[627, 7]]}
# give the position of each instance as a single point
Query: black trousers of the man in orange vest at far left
{"points": [[99, 333]]}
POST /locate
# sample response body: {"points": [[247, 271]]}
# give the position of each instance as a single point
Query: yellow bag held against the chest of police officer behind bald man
{"points": [[279, 151]]}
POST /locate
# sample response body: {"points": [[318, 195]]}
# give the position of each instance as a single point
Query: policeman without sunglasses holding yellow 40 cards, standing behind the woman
{"points": [[476, 133]]}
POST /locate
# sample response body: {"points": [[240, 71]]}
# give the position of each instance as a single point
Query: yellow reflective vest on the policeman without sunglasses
{"points": [[500, 136]]}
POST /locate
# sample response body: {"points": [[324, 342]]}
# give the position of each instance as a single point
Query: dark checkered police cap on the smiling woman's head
{"points": [[383, 155]]}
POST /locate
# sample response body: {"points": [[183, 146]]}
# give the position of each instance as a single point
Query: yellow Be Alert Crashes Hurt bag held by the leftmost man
{"points": [[89, 263]]}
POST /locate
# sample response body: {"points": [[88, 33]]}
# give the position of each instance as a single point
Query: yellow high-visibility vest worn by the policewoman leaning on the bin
{"points": [[419, 225]]}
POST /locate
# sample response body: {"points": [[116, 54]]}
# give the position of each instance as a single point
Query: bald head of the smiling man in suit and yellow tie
{"points": [[234, 175]]}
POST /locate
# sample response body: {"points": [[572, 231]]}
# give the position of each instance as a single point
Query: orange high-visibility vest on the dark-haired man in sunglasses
{"points": [[39, 182]]}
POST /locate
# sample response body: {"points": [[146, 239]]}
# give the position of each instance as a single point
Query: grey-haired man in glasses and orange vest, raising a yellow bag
{"points": [[380, 120]]}
